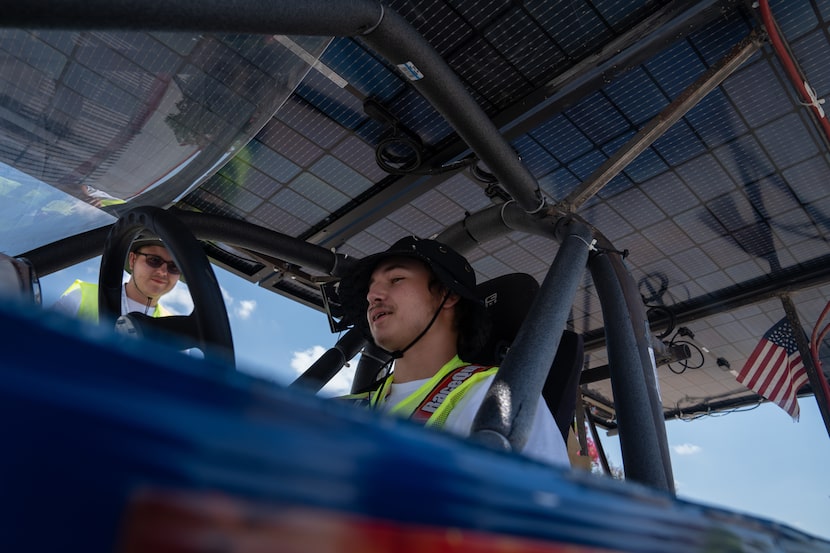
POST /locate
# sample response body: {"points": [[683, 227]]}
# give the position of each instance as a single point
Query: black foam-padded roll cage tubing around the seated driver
{"points": [[641, 426]]}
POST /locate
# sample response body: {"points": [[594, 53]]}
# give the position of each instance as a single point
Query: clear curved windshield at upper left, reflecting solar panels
{"points": [[97, 122]]}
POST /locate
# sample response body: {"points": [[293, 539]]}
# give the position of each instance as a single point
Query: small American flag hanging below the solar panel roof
{"points": [[774, 370]]}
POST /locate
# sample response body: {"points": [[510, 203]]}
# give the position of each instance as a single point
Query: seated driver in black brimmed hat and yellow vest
{"points": [[418, 301]]}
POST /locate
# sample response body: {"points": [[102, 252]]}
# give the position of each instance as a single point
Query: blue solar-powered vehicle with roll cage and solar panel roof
{"points": [[630, 180]]}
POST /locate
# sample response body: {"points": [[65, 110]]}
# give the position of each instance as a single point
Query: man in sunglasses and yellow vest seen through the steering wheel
{"points": [[152, 274]]}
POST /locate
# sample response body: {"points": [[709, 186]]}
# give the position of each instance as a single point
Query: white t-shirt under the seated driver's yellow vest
{"points": [[544, 442]]}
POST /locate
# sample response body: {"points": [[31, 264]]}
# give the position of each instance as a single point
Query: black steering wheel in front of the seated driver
{"points": [[209, 321]]}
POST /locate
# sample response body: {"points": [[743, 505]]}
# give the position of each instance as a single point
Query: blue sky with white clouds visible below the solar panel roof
{"points": [[758, 461]]}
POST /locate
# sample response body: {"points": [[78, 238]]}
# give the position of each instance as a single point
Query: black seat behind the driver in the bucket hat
{"points": [[508, 299]]}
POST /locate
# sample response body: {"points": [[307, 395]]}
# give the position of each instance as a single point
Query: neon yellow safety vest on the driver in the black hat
{"points": [[433, 401]]}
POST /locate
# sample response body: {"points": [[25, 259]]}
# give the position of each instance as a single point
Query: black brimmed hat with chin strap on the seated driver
{"points": [[449, 267]]}
